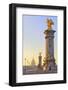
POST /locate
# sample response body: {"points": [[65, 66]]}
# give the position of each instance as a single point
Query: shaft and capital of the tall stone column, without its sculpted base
{"points": [[49, 41]]}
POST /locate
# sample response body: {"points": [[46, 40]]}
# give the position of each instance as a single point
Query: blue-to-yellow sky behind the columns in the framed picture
{"points": [[33, 28]]}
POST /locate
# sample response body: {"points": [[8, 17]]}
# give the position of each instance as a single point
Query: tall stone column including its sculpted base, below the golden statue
{"points": [[50, 65]]}
